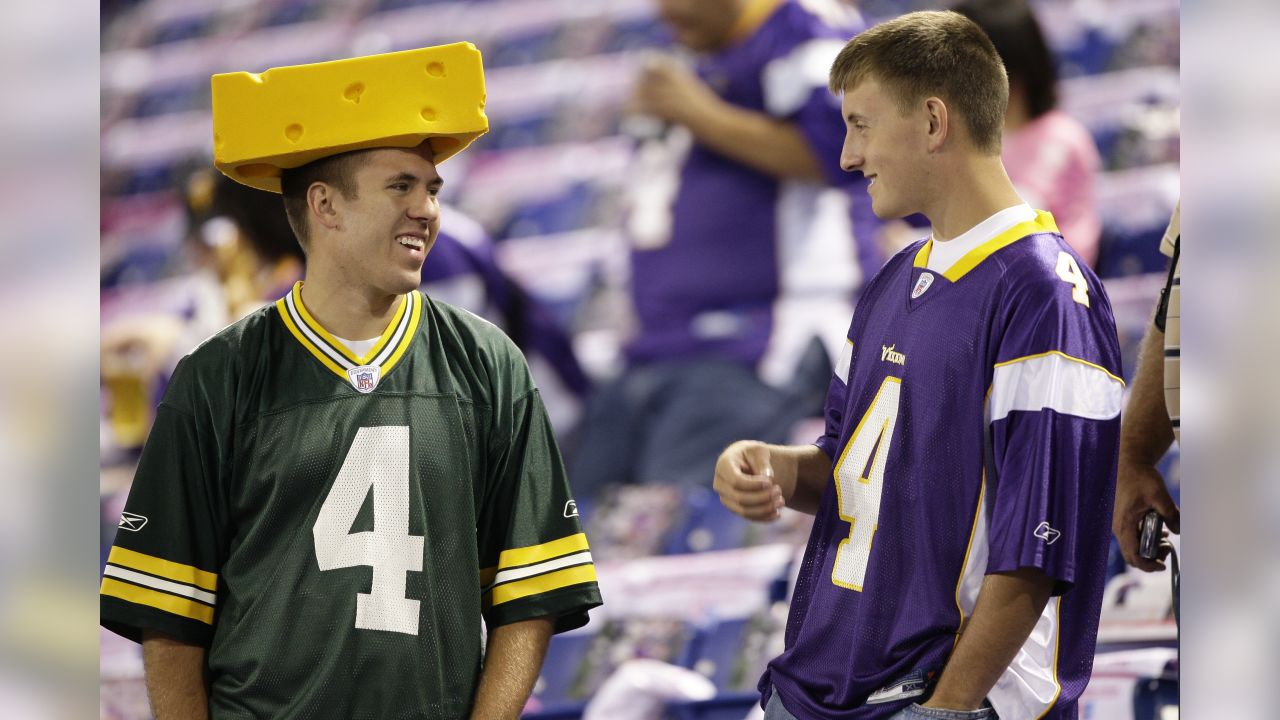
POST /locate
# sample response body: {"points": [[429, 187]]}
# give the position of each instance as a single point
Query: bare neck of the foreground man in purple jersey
{"points": [[976, 192]]}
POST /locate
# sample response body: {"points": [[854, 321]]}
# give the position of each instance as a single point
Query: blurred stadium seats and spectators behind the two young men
{"points": [[674, 290]]}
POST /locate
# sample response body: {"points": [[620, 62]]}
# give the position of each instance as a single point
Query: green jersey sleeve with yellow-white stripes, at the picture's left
{"points": [[162, 572]]}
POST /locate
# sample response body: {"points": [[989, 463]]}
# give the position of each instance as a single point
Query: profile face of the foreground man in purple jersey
{"points": [[889, 147]]}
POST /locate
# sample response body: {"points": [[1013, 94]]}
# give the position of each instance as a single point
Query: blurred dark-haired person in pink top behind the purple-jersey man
{"points": [[1050, 156]]}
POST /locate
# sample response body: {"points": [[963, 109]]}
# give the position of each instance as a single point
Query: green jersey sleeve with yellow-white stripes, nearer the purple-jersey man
{"points": [[534, 555]]}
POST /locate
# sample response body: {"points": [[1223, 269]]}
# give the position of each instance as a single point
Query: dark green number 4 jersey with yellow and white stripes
{"points": [[335, 528]]}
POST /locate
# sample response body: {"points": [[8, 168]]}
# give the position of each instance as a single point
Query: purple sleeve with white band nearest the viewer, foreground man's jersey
{"points": [[1054, 412]]}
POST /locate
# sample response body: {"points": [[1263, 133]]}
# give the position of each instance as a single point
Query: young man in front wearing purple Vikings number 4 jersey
{"points": [[963, 487]]}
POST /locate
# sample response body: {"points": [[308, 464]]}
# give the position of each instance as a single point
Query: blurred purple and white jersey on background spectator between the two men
{"points": [[733, 263]]}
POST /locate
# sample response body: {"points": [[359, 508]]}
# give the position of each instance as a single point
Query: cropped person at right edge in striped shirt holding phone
{"points": [[1151, 418]]}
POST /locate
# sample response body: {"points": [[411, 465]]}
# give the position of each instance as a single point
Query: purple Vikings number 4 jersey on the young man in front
{"points": [[975, 427]]}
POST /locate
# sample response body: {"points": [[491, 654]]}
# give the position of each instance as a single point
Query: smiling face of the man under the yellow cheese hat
{"points": [[385, 230]]}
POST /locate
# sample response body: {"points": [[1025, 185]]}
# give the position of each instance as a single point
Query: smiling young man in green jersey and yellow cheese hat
{"points": [[344, 489]]}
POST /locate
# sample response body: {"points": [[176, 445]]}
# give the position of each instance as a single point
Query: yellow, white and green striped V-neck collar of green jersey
{"points": [[363, 372]]}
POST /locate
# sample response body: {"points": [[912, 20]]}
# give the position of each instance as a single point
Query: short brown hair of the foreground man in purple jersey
{"points": [[934, 53]]}
